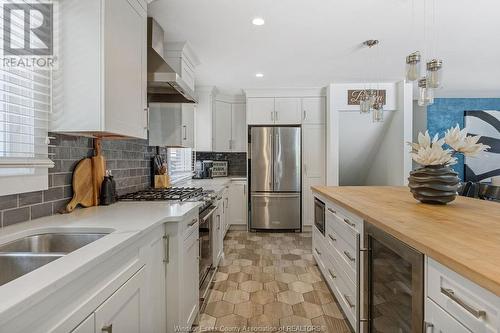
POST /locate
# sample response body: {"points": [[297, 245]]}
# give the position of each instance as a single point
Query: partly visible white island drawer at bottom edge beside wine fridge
{"points": [[438, 321]]}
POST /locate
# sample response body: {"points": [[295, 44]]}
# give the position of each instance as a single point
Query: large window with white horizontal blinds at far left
{"points": [[25, 104]]}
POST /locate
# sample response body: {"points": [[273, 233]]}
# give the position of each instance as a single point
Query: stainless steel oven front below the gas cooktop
{"points": [[207, 225]]}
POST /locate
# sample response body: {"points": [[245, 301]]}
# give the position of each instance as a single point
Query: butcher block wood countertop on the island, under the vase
{"points": [[463, 235]]}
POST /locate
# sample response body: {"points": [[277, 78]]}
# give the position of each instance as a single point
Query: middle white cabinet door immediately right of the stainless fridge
{"points": [[314, 150]]}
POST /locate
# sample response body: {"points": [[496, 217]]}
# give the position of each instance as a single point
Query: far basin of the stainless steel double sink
{"points": [[51, 243]]}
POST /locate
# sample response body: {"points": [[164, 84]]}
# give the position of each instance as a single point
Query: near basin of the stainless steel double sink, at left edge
{"points": [[14, 265]]}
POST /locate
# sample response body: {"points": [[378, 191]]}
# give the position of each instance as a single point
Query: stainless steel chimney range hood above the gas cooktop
{"points": [[164, 84]]}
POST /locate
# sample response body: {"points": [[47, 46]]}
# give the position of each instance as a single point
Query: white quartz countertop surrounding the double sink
{"points": [[125, 221]]}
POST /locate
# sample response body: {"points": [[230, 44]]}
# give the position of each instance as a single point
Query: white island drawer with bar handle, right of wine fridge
{"points": [[471, 305]]}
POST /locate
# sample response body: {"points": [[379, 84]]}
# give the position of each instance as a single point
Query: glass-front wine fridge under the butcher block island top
{"points": [[393, 284]]}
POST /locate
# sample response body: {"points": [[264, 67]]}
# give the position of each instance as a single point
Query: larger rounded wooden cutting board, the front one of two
{"points": [[83, 188]]}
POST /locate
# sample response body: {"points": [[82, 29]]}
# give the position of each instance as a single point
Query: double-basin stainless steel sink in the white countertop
{"points": [[26, 254]]}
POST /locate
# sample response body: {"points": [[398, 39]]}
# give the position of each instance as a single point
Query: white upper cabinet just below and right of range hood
{"points": [[171, 124]]}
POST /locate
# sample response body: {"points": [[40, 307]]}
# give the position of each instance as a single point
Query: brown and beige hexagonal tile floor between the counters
{"points": [[268, 282]]}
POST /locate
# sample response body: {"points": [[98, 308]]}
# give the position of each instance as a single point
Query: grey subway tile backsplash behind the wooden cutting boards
{"points": [[129, 161]]}
